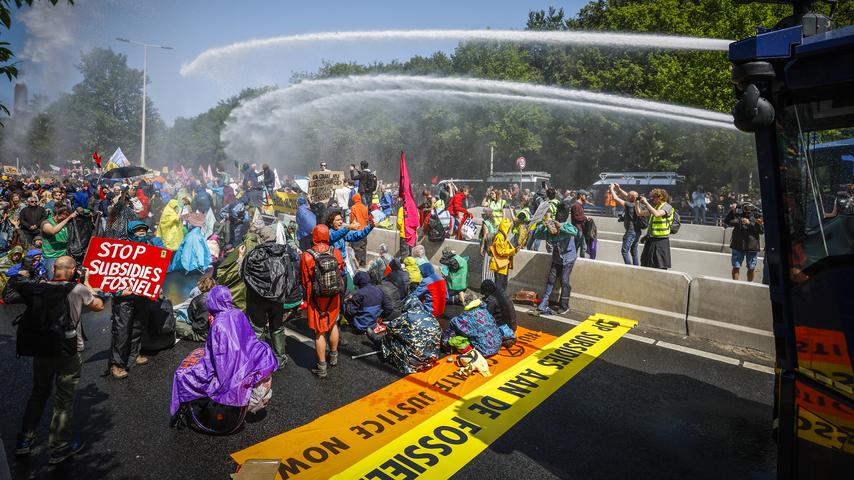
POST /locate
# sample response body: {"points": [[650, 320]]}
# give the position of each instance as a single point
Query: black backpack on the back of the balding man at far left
{"points": [[44, 329]]}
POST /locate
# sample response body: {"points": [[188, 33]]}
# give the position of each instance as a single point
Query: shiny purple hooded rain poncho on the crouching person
{"points": [[232, 362]]}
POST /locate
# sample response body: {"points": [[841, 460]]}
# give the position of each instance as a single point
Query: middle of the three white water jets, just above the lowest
{"points": [[325, 87]]}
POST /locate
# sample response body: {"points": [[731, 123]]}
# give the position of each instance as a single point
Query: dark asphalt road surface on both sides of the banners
{"points": [[637, 411]]}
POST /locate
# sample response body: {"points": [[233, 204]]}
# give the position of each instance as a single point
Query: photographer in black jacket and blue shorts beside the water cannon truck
{"points": [[747, 224]]}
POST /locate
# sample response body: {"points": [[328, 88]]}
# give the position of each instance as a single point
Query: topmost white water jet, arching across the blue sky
{"points": [[208, 59]]}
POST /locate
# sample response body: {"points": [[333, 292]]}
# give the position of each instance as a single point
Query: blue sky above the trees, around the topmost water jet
{"points": [[48, 41]]}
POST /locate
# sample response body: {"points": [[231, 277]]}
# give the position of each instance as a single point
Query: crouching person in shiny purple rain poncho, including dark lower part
{"points": [[215, 386]]}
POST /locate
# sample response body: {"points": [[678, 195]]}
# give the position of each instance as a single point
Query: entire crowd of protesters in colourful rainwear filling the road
{"points": [[259, 273]]}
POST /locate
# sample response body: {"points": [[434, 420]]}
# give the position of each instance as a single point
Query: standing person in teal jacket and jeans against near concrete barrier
{"points": [[561, 238]]}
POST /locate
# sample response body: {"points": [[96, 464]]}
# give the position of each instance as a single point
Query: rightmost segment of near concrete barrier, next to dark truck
{"points": [[731, 312]]}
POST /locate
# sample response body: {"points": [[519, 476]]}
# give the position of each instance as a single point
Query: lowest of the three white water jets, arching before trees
{"points": [[247, 111]]}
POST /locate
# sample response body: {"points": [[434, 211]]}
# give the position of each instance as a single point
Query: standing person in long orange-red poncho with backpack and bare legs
{"points": [[322, 267]]}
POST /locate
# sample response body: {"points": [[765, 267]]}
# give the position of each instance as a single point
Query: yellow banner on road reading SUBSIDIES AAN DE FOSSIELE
{"points": [[447, 441]]}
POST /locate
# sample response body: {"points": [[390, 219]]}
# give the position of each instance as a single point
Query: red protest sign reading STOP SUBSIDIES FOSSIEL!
{"points": [[119, 265]]}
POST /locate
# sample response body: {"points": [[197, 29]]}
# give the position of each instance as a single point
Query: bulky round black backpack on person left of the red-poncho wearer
{"points": [[271, 272]]}
